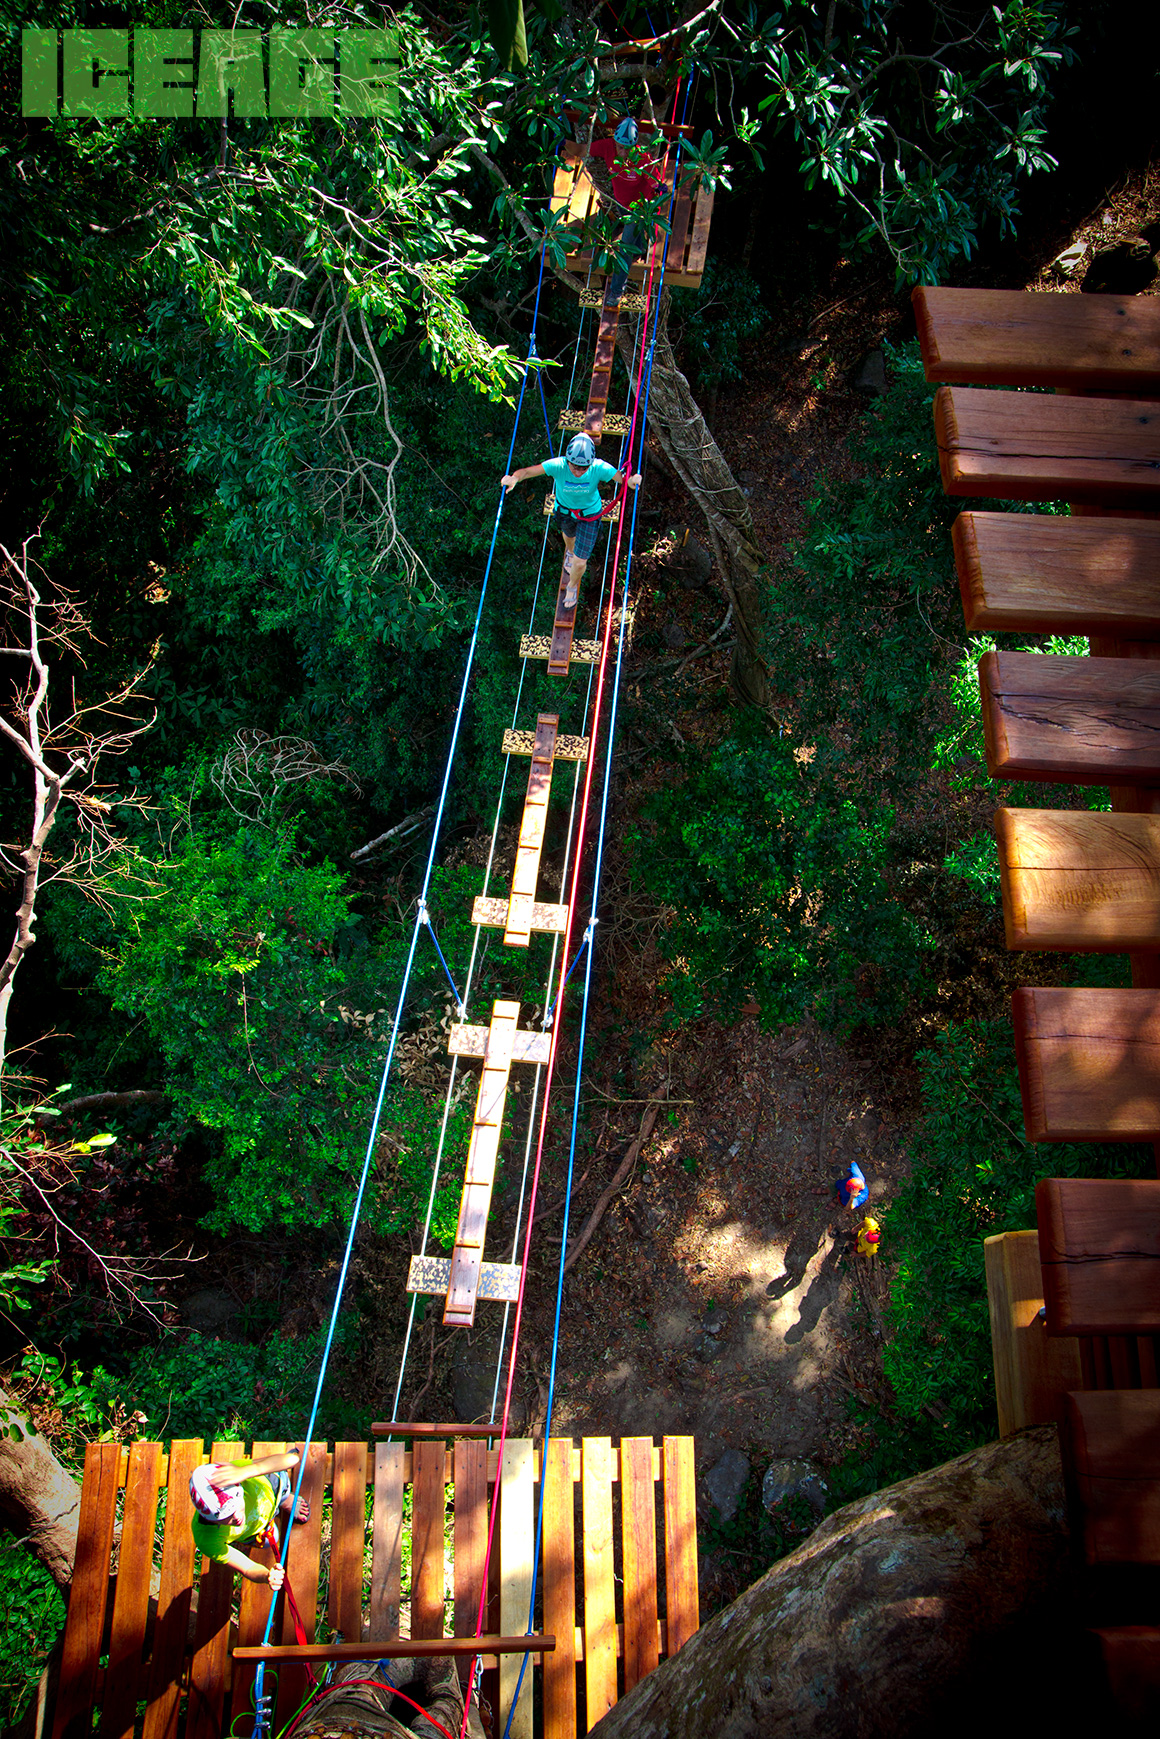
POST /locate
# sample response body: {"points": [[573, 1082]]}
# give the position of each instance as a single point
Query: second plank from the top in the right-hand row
{"points": [[1043, 448]]}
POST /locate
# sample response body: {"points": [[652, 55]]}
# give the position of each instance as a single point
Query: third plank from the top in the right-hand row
{"points": [[1041, 573]]}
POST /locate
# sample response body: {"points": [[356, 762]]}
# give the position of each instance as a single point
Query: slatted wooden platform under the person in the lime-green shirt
{"points": [[618, 1587]]}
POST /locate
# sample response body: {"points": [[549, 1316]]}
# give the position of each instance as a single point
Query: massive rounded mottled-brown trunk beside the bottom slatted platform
{"points": [[933, 1608]]}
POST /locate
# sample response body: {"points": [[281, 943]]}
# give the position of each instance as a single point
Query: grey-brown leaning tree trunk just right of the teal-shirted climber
{"points": [[697, 458]]}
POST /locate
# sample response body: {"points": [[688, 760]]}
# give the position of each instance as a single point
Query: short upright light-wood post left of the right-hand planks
{"points": [[1032, 1369]]}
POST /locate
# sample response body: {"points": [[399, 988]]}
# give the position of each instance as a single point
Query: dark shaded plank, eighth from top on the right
{"points": [[1112, 1465]]}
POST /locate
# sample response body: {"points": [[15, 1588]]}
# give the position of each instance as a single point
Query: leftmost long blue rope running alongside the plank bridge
{"points": [[260, 1721]]}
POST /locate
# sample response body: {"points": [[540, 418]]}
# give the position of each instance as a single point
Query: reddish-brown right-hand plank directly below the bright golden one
{"points": [[1090, 1063]]}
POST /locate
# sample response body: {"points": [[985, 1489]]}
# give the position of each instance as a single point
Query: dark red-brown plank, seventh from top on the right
{"points": [[1100, 1255]]}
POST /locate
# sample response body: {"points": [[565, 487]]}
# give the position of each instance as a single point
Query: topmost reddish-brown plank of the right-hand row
{"points": [[1039, 338]]}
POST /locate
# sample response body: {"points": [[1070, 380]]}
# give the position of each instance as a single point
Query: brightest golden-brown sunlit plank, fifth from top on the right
{"points": [[1081, 881]]}
